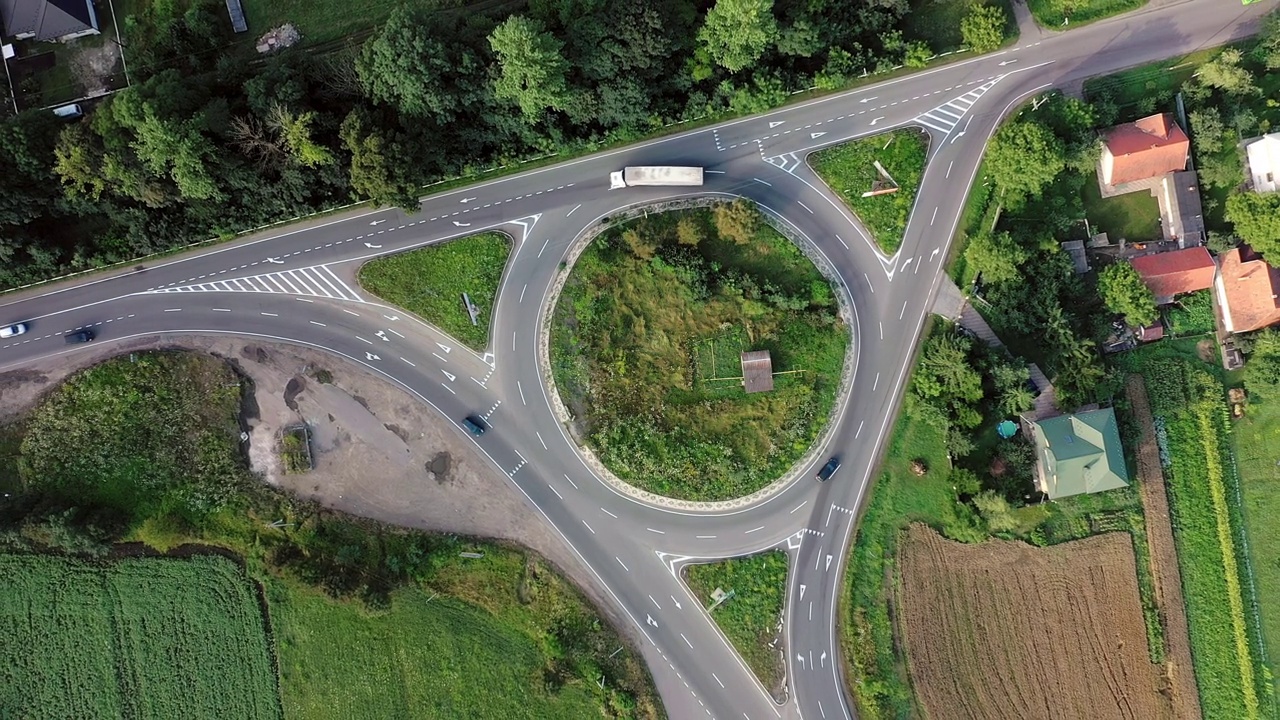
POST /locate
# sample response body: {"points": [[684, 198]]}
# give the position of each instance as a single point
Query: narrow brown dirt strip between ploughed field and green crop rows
{"points": [[1164, 557]]}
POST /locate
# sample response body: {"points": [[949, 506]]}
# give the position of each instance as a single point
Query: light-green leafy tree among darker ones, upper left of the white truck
{"points": [[533, 71]]}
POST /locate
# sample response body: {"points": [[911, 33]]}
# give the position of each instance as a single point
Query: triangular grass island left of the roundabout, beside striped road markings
{"points": [[431, 281]]}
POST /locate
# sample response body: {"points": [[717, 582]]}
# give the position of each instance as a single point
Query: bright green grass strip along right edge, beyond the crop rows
{"points": [[1256, 440]]}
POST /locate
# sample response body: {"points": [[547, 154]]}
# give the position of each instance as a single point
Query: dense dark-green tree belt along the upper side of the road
{"points": [[212, 139]]}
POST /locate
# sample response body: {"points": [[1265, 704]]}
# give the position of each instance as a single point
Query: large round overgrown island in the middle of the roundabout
{"points": [[646, 352]]}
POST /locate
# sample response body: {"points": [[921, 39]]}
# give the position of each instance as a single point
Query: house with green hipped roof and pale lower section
{"points": [[1078, 454]]}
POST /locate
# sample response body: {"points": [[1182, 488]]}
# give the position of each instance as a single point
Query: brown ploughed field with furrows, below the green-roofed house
{"points": [[1004, 630]]}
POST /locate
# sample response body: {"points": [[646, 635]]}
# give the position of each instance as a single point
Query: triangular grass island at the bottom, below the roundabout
{"points": [[751, 618]]}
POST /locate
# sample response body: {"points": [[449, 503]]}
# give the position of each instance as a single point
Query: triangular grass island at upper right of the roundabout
{"points": [[851, 171]]}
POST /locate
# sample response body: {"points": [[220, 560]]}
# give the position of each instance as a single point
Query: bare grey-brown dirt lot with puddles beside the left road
{"points": [[380, 454]]}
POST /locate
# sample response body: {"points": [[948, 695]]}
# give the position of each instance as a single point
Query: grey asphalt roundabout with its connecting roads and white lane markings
{"points": [[299, 286]]}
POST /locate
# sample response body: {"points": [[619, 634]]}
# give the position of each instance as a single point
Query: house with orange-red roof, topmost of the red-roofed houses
{"points": [[1145, 149]]}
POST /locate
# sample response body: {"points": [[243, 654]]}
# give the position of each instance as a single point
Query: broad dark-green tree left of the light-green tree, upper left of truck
{"points": [[419, 66]]}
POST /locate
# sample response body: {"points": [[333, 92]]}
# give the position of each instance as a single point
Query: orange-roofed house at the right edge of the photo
{"points": [[1249, 291]]}
